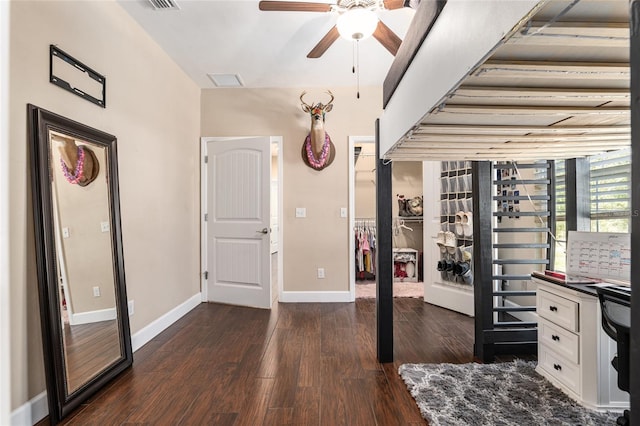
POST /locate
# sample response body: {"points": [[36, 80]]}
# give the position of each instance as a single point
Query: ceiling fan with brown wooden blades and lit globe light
{"points": [[356, 20]]}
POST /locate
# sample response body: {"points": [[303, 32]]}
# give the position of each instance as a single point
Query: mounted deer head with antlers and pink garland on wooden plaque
{"points": [[318, 151]]}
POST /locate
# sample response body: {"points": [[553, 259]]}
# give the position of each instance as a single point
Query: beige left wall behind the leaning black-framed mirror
{"points": [[153, 109]]}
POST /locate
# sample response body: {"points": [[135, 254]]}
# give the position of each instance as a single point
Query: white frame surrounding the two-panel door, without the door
{"points": [[274, 141]]}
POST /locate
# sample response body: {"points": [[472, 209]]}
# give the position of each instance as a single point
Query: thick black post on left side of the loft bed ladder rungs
{"points": [[482, 259]]}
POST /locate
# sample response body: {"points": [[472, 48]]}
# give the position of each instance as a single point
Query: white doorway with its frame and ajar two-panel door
{"points": [[237, 216]]}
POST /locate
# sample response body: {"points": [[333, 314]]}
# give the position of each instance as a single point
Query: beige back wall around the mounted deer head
{"points": [[321, 239]]}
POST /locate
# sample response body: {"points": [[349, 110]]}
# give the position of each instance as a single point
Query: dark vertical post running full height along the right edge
{"points": [[635, 205]]}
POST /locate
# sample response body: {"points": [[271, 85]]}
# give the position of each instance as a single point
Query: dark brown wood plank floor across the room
{"points": [[298, 364]]}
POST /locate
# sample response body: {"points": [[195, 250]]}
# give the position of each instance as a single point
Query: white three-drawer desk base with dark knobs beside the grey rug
{"points": [[574, 353]]}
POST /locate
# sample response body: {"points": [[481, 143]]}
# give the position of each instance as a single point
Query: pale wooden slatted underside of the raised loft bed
{"points": [[558, 87]]}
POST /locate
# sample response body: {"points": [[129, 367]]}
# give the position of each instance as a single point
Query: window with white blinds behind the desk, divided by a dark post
{"points": [[610, 194]]}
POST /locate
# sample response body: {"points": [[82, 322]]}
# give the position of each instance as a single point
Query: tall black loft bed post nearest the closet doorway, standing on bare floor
{"points": [[384, 271]]}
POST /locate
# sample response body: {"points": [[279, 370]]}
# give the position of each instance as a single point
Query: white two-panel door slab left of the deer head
{"points": [[238, 221]]}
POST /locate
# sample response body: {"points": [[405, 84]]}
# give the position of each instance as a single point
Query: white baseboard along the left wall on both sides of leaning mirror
{"points": [[37, 408]]}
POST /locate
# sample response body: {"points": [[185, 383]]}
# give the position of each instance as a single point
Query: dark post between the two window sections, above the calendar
{"points": [[578, 193]]}
